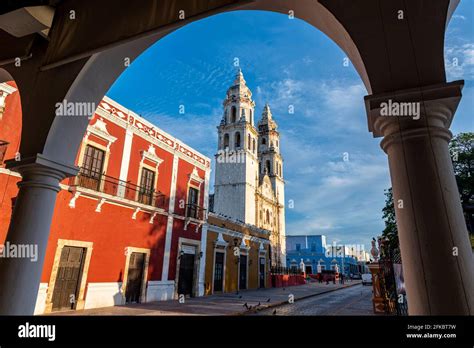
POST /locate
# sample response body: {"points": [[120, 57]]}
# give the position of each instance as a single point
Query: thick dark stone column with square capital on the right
{"points": [[436, 253]]}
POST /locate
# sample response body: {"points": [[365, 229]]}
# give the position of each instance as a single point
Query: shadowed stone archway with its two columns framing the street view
{"points": [[78, 66]]}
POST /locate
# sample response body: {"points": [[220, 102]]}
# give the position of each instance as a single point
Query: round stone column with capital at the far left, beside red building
{"points": [[30, 225]]}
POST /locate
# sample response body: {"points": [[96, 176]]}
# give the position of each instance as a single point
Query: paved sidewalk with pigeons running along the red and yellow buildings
{"points": [[222, 304]]}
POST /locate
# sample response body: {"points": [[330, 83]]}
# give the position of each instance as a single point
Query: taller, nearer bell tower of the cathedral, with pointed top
{"points": [[236, 158]]}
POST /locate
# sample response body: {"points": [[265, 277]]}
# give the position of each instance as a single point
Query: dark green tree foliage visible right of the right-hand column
{"points": [[461, 149]]}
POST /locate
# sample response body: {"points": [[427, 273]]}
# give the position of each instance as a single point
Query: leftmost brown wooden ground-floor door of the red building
{"points": [[67, 284]]}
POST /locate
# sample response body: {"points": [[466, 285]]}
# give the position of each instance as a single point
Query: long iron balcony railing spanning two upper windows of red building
{"points": [[112, 186]]}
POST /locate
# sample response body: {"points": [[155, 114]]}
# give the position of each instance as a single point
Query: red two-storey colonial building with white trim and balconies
{"points": [[128, 227]]}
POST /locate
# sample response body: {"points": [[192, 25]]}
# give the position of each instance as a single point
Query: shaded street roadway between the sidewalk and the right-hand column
{"points": [[356, 300]]}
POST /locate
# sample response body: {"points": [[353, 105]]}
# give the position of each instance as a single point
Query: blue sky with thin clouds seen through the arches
{"points": [[287, 62]]}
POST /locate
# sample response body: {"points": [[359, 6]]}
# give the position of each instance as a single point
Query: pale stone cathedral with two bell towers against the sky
{"points": [[249, 184]]}
